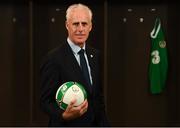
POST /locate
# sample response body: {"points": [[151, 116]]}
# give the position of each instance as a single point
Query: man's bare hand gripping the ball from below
{"points": [[73, 112]]}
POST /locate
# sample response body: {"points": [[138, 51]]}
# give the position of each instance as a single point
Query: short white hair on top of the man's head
{"points": [[73, 6]]}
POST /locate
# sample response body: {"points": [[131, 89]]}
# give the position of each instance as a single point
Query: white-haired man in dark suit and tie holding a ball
{"points": [[63, 65]]}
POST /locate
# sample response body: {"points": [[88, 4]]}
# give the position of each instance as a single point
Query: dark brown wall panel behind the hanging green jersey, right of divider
{"points": [[134, 103]]}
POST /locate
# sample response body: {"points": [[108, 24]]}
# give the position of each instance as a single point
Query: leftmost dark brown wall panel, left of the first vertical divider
{"points": [[14, 66]]}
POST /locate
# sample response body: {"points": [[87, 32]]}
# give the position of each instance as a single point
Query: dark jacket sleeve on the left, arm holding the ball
{"points": [[49, 84]]}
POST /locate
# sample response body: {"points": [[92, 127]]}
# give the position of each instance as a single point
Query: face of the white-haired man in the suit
{"points": [[79, 25]]}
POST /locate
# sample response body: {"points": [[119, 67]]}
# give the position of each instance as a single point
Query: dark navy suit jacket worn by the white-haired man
{"points": [[60, 66]]}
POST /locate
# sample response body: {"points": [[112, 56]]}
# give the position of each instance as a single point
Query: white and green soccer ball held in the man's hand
{"points": [[69, 91]]}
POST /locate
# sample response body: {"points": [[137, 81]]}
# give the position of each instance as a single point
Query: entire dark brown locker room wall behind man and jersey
{"points": [[30, 29]]}
